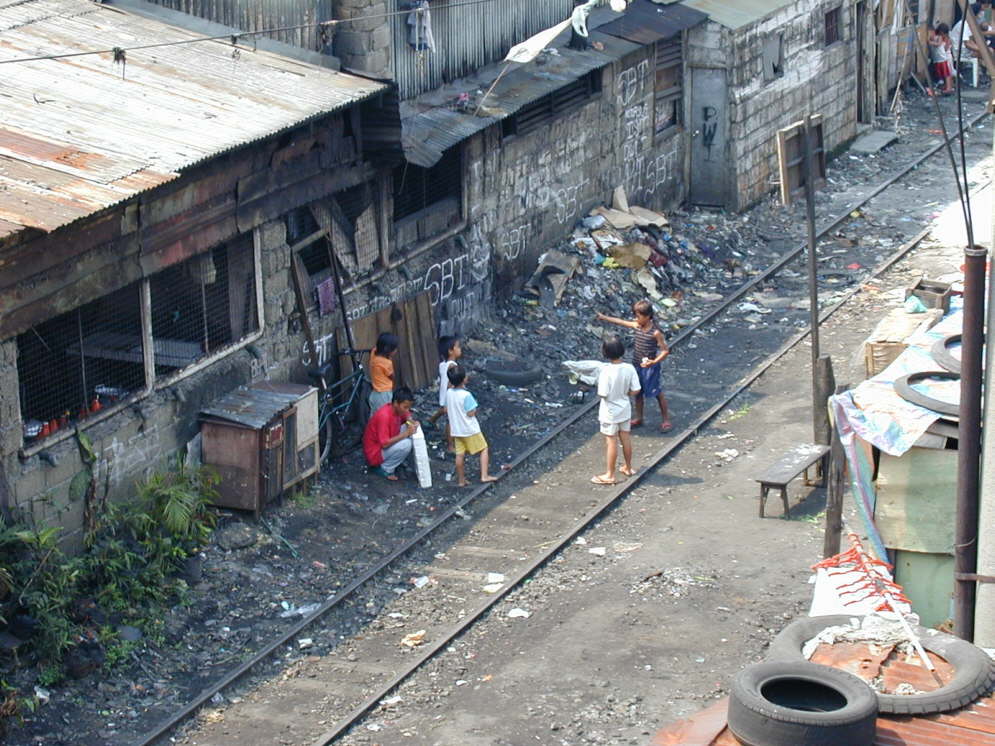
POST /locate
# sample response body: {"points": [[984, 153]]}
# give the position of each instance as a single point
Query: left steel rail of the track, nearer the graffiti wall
{"points": [[364, 577]]}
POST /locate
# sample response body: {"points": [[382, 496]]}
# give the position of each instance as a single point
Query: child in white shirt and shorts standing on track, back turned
{"points": [[617, 381]]}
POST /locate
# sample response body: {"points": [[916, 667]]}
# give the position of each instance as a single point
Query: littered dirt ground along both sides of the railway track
{"points": [[609, 653]]}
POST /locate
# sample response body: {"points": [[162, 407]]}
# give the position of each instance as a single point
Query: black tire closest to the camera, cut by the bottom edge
{"points": [[793, 703]]}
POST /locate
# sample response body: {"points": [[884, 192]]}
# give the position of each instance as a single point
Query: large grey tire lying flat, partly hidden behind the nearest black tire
{"points": [[974, 672]]}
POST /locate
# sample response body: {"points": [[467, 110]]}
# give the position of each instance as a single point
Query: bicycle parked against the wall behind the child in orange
{"points": [[343, 407]]}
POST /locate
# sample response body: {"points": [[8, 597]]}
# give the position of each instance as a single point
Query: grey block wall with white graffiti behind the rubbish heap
{"points": [[526, 192]]}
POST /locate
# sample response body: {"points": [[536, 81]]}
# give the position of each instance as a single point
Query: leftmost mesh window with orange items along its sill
{"points": [[75, 364]]}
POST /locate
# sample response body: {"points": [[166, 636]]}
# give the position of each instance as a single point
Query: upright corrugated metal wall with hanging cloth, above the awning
{"points": [[466, 38]]}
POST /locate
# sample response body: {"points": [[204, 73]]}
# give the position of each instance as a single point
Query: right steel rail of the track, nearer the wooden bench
{"points": [[614, 496]]}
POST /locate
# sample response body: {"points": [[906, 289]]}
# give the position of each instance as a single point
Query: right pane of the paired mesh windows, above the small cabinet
{"points": [[202, 305]]}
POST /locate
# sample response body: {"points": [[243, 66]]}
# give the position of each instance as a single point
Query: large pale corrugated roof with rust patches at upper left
{"points": [[82, 133]]}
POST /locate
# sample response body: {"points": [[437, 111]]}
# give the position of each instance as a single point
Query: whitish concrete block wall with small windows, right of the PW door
{"points": [[817, 79]]}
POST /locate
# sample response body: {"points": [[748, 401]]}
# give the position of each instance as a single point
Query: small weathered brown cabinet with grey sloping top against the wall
{"points": [[261, 440]]}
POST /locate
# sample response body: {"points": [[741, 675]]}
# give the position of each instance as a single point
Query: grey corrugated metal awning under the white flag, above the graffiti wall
{"points": [[431, 126]]}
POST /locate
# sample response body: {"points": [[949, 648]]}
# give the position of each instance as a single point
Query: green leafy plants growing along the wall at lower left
{"points": [[129, 569]]}
